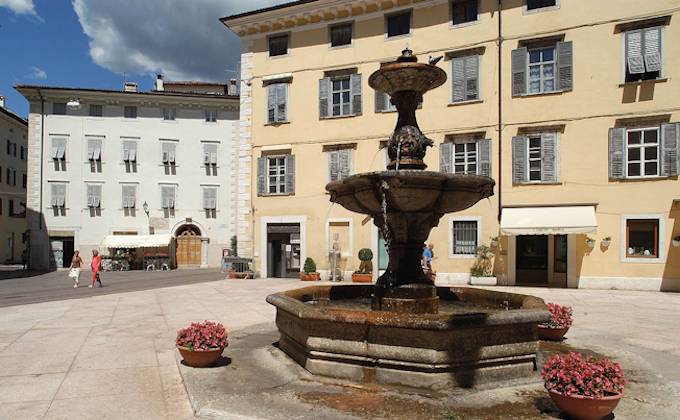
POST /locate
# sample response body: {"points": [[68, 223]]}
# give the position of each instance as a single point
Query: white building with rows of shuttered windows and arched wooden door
{"points": [[105, 163]]}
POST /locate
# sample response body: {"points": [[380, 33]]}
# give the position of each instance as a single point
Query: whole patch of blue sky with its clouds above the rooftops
{"points": [[93, 43]]}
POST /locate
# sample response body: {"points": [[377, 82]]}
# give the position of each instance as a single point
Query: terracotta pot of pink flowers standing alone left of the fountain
{"points": [[202, 343]]}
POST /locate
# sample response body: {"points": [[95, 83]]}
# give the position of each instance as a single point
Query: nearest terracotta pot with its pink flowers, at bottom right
{"points": [[582, 387]]}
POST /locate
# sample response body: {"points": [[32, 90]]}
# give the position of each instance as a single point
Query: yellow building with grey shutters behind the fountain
{"points": [[571, 106]]}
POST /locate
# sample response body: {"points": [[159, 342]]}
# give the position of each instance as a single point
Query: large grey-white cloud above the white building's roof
{"points": [[179, 38]]}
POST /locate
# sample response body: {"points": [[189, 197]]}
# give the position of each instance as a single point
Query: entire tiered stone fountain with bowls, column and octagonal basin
{"points": [[404, 330]]}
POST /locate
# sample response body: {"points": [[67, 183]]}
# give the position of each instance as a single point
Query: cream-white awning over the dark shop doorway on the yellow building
{"points": [[548, 220]]}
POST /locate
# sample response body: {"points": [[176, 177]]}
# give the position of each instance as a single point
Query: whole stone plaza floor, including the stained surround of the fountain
{"points": [[112, 356]]}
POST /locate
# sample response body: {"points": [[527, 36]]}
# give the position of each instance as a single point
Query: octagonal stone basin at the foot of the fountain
{"points": [[478, 337]]}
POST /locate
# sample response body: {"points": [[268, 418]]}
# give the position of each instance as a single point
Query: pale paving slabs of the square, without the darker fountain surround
{"points": [[113, 356]]}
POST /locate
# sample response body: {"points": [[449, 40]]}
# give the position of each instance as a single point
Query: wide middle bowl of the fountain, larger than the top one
{"points": [[410, 191]]}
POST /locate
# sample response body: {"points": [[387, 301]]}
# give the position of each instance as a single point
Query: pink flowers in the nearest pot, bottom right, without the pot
{"points": [[575, 374]]}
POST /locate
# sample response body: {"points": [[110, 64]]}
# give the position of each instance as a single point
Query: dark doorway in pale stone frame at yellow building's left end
{"points": [[283, 250]]}
